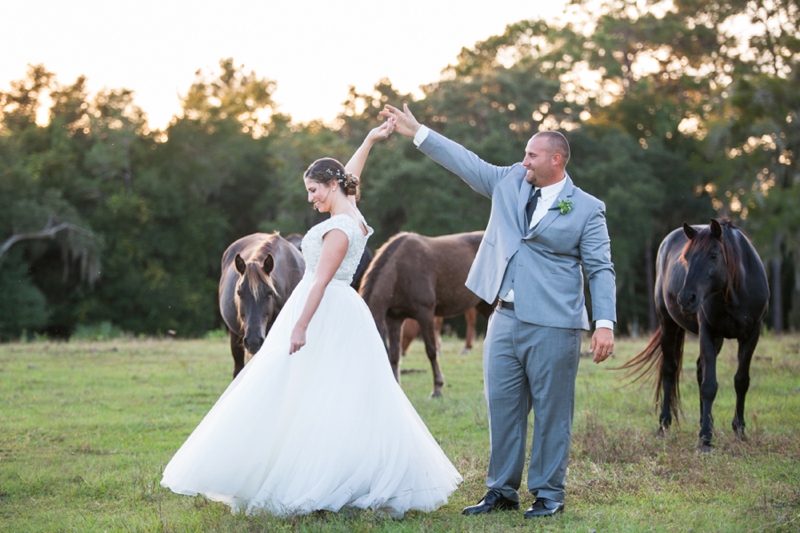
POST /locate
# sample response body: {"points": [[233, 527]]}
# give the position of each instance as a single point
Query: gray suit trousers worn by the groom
{"points": [[527, 366]]}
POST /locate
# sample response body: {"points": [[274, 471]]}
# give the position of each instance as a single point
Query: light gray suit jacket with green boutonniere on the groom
{"points": [[551, 258]]}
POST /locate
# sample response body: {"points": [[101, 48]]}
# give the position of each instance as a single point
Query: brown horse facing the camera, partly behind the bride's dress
{"points": [[259, 272]]}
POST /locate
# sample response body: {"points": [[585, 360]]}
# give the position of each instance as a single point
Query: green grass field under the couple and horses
{"points": [[86, 429]]}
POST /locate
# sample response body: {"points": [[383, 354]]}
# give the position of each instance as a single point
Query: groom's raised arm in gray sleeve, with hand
{"points": [[477, 173]]}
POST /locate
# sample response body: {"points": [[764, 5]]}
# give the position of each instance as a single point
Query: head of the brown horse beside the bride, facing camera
{"points": [[256, 300]]}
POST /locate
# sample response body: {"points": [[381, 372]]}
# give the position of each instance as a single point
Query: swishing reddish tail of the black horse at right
{"points": [[651, 361]]}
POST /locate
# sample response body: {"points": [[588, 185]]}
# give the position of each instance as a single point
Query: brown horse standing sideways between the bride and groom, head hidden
{"points": [[419, 277]]}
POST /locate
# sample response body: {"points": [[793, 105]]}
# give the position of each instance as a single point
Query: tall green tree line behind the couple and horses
{"points": [[678, 111]]}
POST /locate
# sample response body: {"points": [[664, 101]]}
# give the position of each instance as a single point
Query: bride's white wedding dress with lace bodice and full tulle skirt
{"points": [[323, 428]]}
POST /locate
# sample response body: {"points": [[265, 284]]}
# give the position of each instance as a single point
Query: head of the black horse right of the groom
{"points": [[712, 266]]}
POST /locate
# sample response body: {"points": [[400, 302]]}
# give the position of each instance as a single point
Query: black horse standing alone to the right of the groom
{"points": [[710, 281]]}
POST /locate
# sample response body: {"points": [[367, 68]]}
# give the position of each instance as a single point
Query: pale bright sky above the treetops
{"points": [[313, 49]]}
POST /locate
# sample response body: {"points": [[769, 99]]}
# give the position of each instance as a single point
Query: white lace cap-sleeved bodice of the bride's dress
{"points": [[312, 245]]}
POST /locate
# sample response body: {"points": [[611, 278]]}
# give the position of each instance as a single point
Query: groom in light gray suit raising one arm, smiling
{"points": [[543, 235]]}
